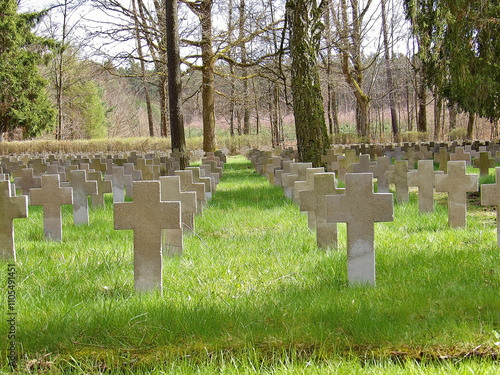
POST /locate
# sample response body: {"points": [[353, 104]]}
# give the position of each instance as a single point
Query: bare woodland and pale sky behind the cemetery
{"points": [[382, 69]]}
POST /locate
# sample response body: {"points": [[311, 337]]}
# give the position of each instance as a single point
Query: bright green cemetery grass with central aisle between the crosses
{"points": [[252, 293]]}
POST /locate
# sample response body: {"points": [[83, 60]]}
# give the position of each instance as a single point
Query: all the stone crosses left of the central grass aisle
{"points": [[165, 199]]}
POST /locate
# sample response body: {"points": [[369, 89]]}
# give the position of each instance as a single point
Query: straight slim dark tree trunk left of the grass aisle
{"points": [[174, 82]]}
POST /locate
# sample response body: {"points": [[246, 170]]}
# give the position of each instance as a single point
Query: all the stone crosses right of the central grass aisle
{"points": [[315, 189]]}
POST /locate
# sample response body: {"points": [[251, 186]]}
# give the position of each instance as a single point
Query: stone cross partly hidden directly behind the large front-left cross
{"points": [[171, 192]]}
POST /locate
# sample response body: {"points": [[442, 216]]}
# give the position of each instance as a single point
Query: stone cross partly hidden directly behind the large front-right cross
{"points": [[315, 201]]}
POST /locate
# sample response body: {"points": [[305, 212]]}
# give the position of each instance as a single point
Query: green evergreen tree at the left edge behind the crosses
{"points": [[24, 102]]}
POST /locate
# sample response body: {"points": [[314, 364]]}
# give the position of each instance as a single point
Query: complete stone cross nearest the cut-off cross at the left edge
{"points": [[51, 196]]}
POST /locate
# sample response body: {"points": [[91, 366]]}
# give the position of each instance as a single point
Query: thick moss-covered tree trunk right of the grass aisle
{"points": [[310, 127]]}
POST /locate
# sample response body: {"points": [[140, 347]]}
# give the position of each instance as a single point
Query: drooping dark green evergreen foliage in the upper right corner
{"points": [[464, 39]]}
